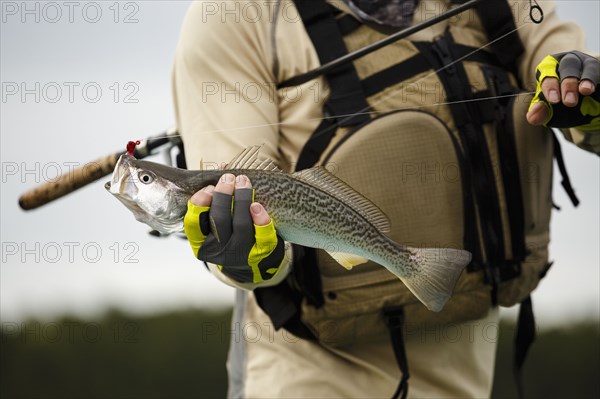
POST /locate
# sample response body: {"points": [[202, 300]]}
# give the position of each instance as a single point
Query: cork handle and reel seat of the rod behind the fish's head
{"points": [[92, 171]]}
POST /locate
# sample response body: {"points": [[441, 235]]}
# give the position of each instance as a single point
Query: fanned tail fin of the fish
{"points": [[438, 272]]}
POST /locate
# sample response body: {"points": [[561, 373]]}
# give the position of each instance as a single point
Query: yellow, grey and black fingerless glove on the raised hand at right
{"points": [[585, 115]]}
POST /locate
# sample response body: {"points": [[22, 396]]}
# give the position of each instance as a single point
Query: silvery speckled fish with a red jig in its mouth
{"points": [[312, 208]]}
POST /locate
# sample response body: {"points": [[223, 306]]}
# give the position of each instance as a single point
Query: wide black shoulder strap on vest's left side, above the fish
{"points": [[347, 104]]}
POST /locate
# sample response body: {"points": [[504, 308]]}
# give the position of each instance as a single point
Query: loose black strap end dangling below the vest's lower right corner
{"points": [[524, 337]]}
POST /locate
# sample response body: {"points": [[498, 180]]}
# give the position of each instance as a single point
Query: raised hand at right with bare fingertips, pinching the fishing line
{"points": [[567, 95]]}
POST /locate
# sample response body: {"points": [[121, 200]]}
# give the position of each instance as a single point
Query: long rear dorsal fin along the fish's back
{"points": [[320, 178]]}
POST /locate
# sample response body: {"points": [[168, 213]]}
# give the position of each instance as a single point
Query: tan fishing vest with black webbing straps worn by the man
{"points": [[434, 133]]}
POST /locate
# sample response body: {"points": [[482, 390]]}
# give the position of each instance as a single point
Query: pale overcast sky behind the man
{"points": [[100, 84]]}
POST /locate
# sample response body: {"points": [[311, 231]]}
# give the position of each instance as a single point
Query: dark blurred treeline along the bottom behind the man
{"points": [[182, 355]]}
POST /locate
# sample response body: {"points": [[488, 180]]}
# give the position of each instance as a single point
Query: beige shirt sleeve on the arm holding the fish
{"points": [[224, 92]]}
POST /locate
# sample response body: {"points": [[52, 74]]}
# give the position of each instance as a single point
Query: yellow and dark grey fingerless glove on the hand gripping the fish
{"points": [[225, 235]]}
